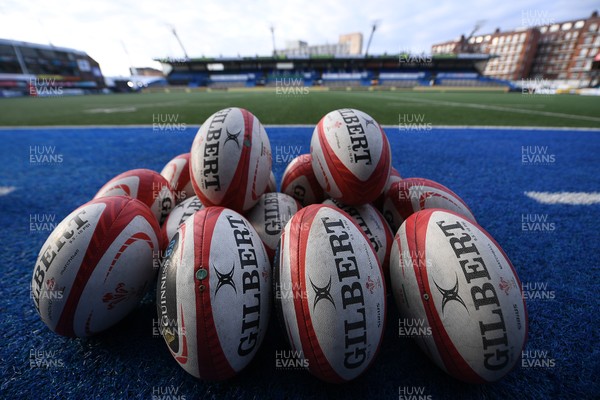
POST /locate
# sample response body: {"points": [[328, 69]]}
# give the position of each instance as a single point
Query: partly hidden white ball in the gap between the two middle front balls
{"points": [[269, 217]]}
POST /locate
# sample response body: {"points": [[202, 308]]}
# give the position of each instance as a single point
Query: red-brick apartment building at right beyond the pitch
{"points": [[562, 51]]}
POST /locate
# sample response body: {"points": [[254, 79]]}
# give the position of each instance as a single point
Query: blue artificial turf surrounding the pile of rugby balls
{"points": [[484, 167]]}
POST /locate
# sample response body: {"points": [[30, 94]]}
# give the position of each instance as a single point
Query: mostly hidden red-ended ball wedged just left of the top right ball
{"points": [[299, 181]]}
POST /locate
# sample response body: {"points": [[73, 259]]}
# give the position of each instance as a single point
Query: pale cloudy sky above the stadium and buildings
{"points": [[119, 33]]}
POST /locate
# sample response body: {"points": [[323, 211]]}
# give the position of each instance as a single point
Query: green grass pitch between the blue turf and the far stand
{"points": [[389, 108]]}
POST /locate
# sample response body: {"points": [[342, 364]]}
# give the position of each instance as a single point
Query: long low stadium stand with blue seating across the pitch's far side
{"points": [[334, 72]]}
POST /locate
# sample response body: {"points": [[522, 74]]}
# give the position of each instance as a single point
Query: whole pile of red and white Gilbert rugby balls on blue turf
{"points": [[323, 250]]}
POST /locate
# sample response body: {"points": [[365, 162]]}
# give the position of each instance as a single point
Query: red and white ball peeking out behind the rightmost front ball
{"points": [[410, 195]]}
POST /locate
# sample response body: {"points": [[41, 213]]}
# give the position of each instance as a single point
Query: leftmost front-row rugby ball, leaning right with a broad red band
{"points": [[95, 267]]}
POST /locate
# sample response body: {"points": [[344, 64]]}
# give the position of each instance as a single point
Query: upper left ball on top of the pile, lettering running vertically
{"points": [[231, 160]]}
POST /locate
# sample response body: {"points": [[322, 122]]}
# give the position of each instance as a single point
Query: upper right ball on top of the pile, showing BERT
{"points": [[351, 156]]}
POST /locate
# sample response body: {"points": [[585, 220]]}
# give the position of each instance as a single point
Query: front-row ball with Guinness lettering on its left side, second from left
{"points": [[214, 294]]}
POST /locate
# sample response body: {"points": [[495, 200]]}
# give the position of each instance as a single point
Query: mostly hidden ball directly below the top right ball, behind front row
{"points": [[375, 228]]}
